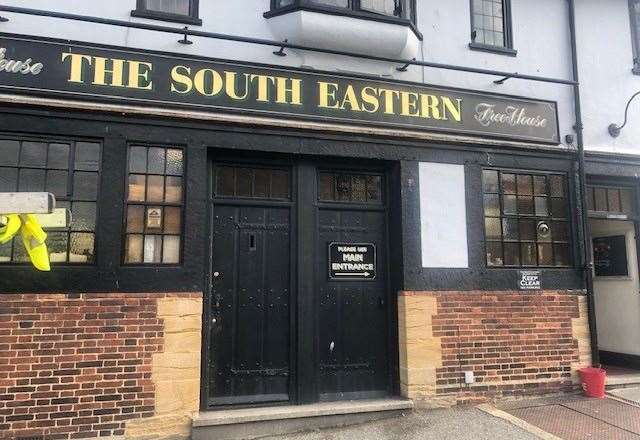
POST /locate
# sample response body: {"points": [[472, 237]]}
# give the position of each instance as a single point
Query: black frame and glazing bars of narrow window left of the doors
{"points": [[146, 204]]}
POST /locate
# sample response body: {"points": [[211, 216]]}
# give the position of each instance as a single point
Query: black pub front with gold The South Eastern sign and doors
{"points": [[289, 198]]}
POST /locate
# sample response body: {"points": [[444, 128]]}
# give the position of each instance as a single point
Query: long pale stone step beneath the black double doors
{"points": [[249, 423]]}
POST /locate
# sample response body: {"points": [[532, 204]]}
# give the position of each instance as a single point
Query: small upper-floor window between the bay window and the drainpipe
{"points": [[491, 26]]}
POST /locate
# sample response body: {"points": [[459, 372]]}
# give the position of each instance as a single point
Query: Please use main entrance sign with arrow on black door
{"points": [[352, 261]]}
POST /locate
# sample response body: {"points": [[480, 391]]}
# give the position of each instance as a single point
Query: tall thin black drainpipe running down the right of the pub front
{"points": [[586, 262]]}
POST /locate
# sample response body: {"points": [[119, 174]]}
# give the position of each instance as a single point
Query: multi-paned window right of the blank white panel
{"points": [[526, 219]]}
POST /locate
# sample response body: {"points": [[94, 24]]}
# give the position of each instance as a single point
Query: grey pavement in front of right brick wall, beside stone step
{"points": [[440, 424]]}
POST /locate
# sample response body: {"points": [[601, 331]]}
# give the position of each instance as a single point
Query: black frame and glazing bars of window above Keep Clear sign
{"points": [[549, 218]]}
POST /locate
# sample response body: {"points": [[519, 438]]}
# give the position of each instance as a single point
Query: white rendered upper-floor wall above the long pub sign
{"points": [[540, 35]]}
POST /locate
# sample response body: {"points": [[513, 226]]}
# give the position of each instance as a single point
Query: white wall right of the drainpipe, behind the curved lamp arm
{"points": [[606, 77]]}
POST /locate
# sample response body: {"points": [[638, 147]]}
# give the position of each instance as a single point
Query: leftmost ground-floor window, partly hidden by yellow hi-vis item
{"points": [[69, 170]]}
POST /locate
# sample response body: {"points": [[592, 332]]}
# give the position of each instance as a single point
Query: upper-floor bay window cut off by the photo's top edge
{"points": [[395, 9]]}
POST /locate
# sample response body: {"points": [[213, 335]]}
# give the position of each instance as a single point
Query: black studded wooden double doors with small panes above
{"points": [[285, 323]]}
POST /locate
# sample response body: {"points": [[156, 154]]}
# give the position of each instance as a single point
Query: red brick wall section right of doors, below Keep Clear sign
{"points": [[516, 343]]}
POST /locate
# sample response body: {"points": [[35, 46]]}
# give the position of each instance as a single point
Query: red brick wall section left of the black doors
{"points": [[77, 365]]}
